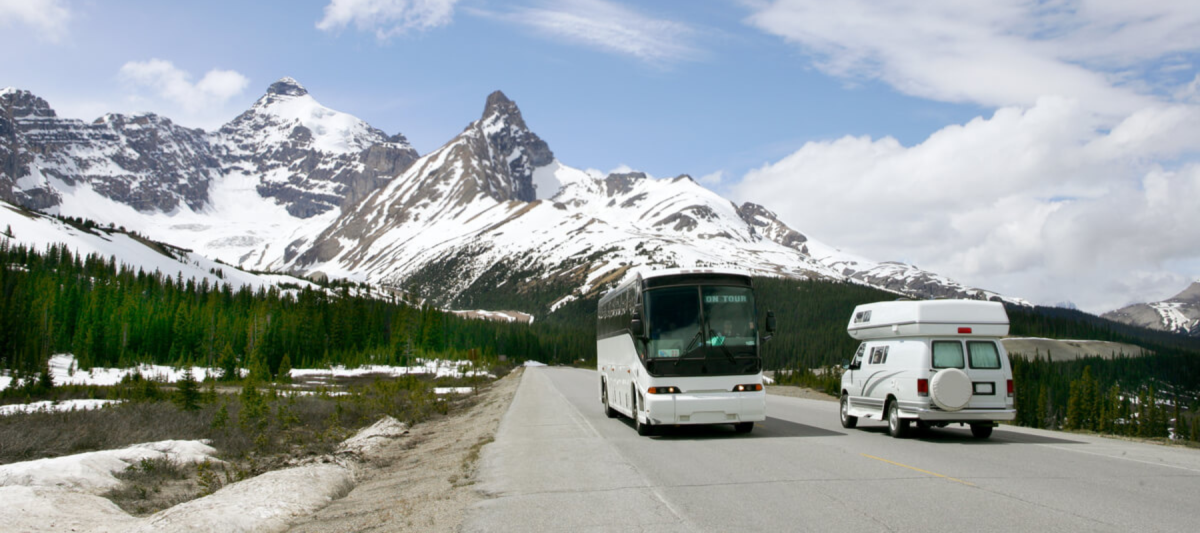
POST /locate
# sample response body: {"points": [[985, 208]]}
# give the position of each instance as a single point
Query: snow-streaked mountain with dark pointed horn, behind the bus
{"points": [[495, 208]]}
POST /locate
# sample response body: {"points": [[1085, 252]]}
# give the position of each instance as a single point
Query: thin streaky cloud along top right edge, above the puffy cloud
{"points": [[995, 53]]}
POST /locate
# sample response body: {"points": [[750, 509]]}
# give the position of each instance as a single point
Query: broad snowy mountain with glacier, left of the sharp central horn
{"points": [[253, 194]]}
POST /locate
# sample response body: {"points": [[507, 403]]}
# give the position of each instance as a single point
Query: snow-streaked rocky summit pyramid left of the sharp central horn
{"points": [[309, 158]]}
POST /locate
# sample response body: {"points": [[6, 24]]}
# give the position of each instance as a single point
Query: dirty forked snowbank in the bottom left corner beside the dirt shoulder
{"points": [[55, 495]]}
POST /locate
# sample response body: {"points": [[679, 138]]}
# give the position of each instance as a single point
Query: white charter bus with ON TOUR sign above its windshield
{"points": [[682, 348]]}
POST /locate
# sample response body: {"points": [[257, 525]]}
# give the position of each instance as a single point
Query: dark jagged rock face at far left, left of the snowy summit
{"points": [[145, 161]]}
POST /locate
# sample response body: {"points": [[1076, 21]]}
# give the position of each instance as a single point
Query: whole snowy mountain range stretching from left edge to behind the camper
{"points": [[293, 187]]}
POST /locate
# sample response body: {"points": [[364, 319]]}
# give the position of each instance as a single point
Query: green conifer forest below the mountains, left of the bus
{"points": [[109, 315]]}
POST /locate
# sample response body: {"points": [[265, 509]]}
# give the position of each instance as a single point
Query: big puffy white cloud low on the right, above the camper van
{"points": [[1043, 202]]}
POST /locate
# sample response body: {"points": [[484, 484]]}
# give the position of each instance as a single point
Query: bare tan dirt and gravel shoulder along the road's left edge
{"points": [[425, 482]]}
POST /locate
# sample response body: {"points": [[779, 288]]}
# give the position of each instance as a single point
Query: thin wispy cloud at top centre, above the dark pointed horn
{"points": [[610, 28]]}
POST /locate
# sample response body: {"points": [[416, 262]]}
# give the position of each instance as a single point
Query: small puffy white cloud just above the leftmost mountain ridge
{"points": [[201, 101]]}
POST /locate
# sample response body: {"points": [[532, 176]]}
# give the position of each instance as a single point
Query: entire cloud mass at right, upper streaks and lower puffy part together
{"points": [[1082, 185]]}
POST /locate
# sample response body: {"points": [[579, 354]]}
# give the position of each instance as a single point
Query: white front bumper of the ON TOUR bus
{"points": [[697, 409]]}
